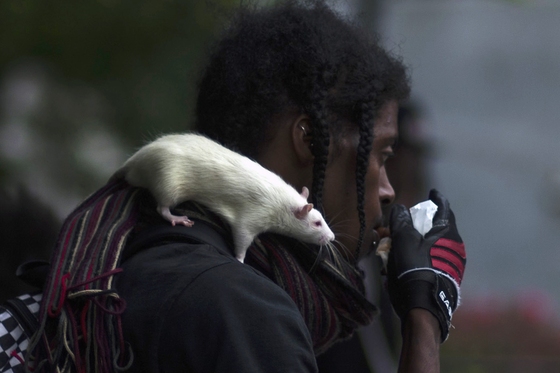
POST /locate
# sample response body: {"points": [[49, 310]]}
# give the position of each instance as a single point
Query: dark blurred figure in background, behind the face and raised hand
{"points": [[374, 348]]}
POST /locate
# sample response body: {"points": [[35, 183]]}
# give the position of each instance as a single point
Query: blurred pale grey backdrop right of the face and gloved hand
{"points": [[488, 74]]}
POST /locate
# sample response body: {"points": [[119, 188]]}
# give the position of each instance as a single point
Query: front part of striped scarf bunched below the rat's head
{"points": [[329, 293]]}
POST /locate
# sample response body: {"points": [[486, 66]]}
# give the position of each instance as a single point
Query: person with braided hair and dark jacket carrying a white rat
{"points": [[311, 97]]}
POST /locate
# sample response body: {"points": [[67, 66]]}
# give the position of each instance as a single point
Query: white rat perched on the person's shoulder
{"points": [[183, 167]]}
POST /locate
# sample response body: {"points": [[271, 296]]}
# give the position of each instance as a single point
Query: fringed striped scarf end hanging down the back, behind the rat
{"points": [[80, 312]]}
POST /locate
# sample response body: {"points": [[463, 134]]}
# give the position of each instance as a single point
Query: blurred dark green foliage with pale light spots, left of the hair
{"points": [[83, 83]]}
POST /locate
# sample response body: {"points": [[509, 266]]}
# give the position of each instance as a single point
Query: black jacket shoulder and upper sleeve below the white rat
{"points": [[201, 310]]}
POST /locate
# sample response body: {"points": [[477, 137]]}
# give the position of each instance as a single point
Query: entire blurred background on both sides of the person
{"points": [[83, 84]]}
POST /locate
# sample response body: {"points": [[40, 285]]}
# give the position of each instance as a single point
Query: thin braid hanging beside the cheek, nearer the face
{"points": [[365, 129]]}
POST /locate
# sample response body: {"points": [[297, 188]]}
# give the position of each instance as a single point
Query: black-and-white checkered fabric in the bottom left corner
{"points": [[12, 337]]}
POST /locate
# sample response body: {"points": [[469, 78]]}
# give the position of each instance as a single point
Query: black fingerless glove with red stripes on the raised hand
{"points": [[426, 272]]}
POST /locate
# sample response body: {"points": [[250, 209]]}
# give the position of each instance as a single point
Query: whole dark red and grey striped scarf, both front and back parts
{"points": [[80, 323]]}
